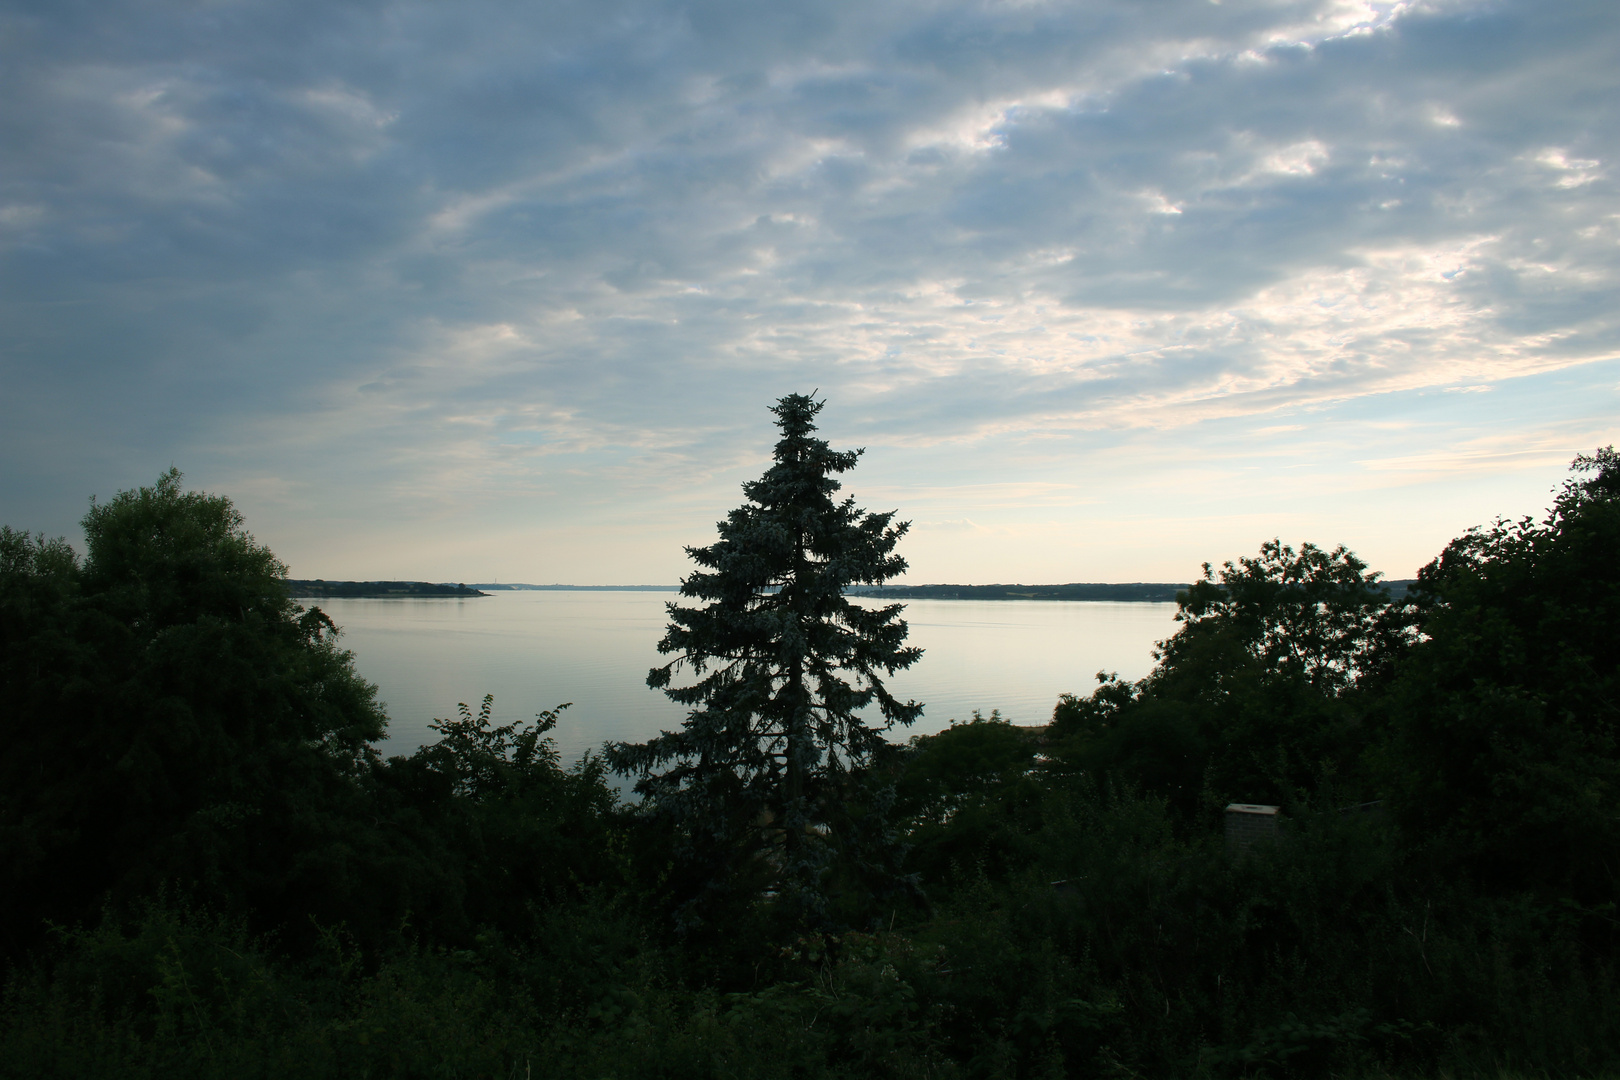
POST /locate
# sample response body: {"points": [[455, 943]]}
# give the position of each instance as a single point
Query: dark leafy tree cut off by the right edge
{"points": [[1507, 715]]}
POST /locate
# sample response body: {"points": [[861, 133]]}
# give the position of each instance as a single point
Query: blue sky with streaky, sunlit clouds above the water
{"points": [[1104, 289]]}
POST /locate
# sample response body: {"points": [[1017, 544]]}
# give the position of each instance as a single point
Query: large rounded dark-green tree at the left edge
{"points": [[171, 715]]}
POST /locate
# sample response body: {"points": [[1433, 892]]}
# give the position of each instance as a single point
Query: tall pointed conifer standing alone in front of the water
{"points": [[785, 665]]}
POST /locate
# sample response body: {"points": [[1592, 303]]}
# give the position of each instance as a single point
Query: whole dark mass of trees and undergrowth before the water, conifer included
{"points": [[211, 872]]}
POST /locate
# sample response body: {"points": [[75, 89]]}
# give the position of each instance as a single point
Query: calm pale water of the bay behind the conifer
{"points": [[537, 650]]}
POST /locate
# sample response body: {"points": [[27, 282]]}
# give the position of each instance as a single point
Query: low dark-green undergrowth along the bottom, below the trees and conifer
{"points": [[1151, 956]]}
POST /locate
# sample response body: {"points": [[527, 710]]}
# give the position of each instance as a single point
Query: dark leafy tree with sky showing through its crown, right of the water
{"points": [[1253, 699]]}
